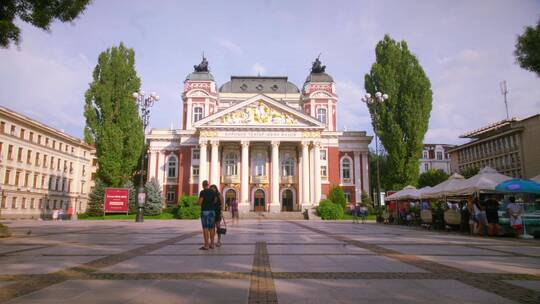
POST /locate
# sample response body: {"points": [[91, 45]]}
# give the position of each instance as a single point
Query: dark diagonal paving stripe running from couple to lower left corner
{"points": [[80, 272]]}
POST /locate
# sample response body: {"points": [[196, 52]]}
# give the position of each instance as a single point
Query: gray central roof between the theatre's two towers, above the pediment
{"points": [[259, 84]]}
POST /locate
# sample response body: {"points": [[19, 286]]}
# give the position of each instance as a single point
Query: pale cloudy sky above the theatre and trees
{"points": [[465, 48]]}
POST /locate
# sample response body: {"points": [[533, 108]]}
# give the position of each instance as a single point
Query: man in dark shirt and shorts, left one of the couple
{"points": [[207, 200]]}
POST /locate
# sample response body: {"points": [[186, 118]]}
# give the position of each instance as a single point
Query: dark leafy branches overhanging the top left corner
{"points": [[39, 13]]}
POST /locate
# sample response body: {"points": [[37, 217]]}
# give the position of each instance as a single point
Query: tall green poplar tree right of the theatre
{"points": [[402, 120]]}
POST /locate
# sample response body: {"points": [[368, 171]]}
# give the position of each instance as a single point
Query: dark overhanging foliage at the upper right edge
{"points": [[528, 49]]}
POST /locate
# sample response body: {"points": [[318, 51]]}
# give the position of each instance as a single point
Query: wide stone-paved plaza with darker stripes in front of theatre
{"points": [[261, 262]]}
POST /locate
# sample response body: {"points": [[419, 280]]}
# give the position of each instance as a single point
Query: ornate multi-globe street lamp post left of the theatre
{"points": [[144, 104]]}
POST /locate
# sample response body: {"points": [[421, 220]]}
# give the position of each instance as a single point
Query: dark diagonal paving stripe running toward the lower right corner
{"points": [[492, 285]]}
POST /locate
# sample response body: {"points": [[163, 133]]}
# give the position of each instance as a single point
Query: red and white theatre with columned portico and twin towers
{"points": [[262, 141]]}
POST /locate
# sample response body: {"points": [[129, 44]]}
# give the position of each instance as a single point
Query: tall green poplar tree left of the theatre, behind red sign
{"points": [[113, 124]]}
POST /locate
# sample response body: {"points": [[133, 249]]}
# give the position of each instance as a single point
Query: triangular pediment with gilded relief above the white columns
{"points": [[259, 110]]}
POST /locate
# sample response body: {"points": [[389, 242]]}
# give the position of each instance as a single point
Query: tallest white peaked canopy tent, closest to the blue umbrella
{"points": [[486, 180]]}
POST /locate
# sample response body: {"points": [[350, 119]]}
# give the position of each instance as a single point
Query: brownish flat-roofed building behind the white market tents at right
{"points": [[512, 147]]}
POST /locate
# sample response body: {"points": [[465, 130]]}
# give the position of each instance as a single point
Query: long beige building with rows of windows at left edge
{"points": [[41, 168]]}
